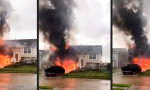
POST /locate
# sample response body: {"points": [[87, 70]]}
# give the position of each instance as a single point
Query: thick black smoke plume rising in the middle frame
{"points": [[56, 19]]}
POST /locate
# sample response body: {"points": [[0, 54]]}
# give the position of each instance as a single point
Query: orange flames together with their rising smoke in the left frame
{"points": [[5, 52]]}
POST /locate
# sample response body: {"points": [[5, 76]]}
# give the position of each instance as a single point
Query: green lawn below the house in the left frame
{"points": [[19, 68]]}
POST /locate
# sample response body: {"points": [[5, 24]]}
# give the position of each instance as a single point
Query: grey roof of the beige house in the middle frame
{"points": [[87, 48]]}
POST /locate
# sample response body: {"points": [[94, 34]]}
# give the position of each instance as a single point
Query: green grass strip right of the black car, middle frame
{"points": [[98, 74]]}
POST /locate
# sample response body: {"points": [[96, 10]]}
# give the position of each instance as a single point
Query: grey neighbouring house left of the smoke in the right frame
{"points": [[120, 57]]}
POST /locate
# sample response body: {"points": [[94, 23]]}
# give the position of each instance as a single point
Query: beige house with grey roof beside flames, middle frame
{"points": [[89, 56]]}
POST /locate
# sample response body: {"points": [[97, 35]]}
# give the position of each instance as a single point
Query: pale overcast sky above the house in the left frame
{"points": [[23, 20]]}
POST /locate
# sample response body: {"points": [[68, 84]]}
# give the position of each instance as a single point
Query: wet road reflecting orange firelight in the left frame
{"points": [[17, 81]]}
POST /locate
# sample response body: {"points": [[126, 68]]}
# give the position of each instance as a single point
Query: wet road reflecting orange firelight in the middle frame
{"points": [[75, 83]]}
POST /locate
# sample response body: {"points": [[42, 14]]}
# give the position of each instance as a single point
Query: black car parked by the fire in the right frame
{"points": [[131, 69]]}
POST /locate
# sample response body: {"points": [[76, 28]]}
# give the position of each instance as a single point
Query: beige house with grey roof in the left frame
{"points": [[24, 50]]}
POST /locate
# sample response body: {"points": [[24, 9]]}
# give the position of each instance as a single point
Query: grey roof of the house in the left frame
{"points": [[21, 42]]}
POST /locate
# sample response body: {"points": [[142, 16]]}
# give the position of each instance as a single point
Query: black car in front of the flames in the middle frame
{"points": [[54, 71]]}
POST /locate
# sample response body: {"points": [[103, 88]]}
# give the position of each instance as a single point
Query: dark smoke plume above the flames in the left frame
{"points": [[5, 8]]}
